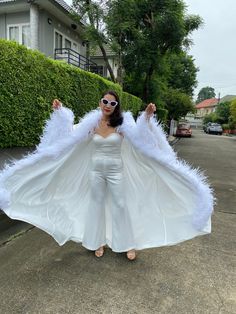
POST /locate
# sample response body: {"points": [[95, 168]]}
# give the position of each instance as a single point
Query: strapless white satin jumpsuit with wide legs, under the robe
{"points": [[106, 176]]}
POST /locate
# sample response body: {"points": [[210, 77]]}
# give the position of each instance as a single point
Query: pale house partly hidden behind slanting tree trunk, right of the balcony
{"points": [[97, 57]]}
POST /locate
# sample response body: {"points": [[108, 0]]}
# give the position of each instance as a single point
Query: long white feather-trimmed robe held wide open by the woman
{"points": [[168, 201]]}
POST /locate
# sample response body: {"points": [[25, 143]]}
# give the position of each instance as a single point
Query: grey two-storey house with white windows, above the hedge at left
{"points": [[45, 25]]}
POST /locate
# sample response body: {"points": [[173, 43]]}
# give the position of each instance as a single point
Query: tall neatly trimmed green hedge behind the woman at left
{"points": [[29, 82]]}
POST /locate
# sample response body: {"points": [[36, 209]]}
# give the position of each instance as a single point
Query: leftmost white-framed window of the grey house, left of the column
{"points": [[19, 33]]}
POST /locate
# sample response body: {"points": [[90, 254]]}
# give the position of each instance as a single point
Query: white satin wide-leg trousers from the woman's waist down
{"points": [[106, 177]]}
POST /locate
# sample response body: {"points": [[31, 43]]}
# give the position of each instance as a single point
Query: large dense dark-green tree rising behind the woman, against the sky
{"points": [[148, 32]]}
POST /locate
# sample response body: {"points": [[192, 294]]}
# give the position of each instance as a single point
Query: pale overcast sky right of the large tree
{"points": [[214, 48]]}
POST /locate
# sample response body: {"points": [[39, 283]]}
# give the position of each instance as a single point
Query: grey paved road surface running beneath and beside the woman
{"points": [[194, 277]]}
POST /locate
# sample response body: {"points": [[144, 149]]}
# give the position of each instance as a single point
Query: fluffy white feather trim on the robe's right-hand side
{"points": [[150, 139]]}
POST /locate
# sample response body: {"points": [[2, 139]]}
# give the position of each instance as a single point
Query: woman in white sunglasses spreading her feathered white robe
{"points": [[108, 181]]}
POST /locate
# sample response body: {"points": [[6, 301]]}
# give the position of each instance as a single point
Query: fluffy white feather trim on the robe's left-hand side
{"points": [[49, 146]]}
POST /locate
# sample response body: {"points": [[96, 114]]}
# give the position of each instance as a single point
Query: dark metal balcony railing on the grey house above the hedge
{"points": [[73, 57]]}
